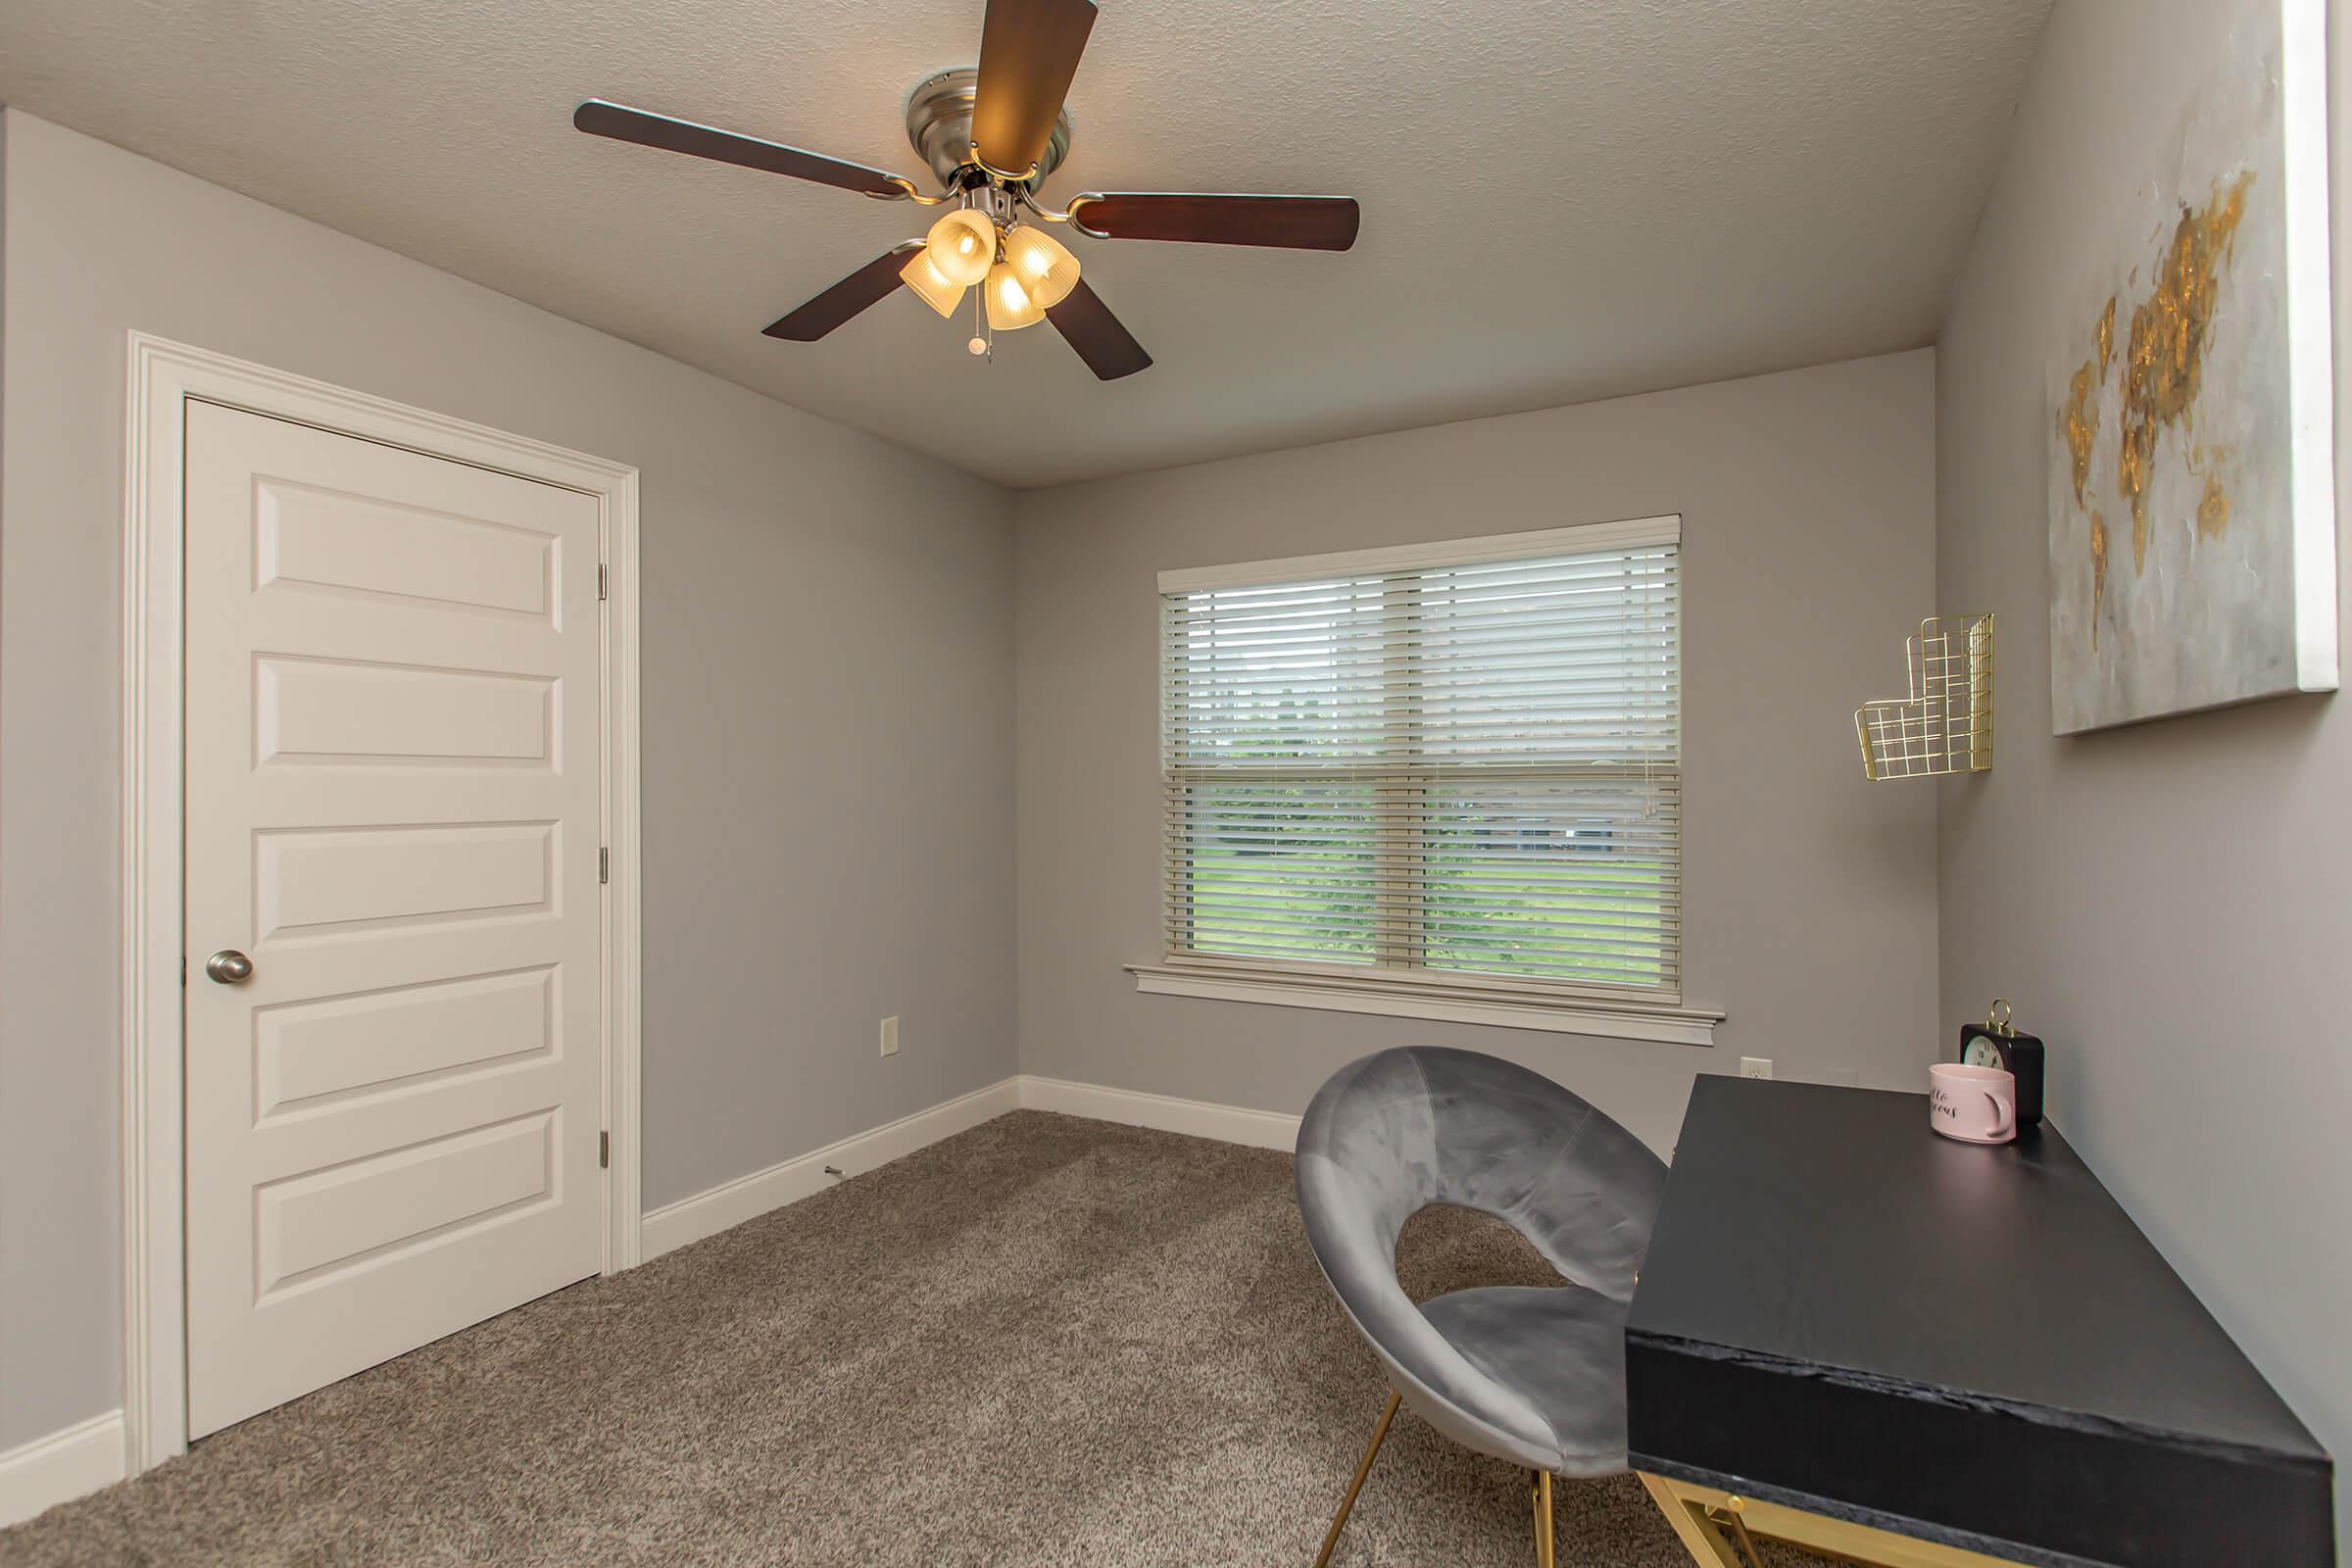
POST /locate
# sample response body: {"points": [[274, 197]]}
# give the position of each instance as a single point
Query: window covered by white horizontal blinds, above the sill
{"points": [[1443, 768]]}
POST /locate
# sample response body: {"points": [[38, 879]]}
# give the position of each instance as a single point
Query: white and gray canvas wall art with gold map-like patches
{"points": [[2191, 483]]}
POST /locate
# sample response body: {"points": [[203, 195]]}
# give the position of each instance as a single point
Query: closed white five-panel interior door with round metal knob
{"points": [[394, 815]]}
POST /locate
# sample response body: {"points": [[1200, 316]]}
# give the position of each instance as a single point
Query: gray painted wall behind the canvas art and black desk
{"points": [[2165, 904]]}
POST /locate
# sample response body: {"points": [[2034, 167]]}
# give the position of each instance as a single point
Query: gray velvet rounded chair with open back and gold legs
{"points": [[1535, 1376]]}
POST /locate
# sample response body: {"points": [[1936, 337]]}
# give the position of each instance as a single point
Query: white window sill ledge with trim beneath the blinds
{"points": [[1441, 1003]]}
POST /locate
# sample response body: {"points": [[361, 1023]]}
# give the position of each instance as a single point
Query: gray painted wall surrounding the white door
{"points": [[827, 709]]}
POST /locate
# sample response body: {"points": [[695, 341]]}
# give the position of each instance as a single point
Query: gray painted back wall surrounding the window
{"points": [[1808, 509]]}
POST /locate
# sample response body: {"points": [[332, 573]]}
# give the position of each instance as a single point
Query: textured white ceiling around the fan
{"points": [[1563, 199]]}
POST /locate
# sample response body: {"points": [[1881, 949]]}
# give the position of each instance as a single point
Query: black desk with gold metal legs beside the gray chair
{"points": [[1847, 1320]]}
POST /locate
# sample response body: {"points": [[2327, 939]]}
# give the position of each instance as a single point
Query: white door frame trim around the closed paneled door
{"points": [[163, 377]]}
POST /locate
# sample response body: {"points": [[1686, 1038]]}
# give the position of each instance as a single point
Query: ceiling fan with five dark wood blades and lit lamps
{"points": [[991, 138]]}
